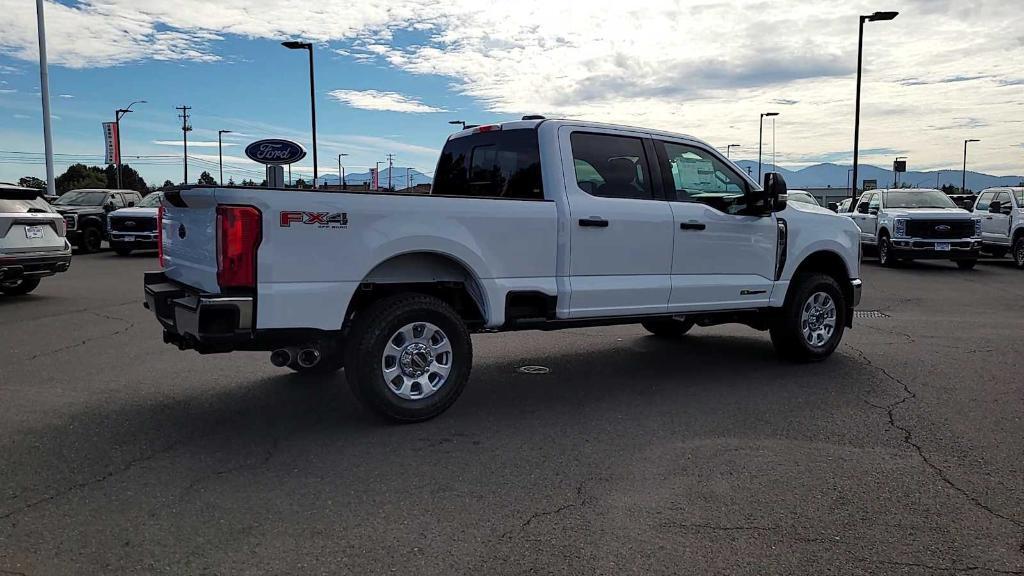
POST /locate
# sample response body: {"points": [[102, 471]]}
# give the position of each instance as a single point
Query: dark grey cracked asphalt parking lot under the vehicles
{"points": [[903, 455]]}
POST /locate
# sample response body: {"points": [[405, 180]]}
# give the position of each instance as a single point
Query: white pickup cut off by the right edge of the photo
{"points": [[1001, 212]]}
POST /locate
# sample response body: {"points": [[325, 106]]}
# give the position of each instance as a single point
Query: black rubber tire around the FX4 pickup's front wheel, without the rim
{"points": [[787, 331]]}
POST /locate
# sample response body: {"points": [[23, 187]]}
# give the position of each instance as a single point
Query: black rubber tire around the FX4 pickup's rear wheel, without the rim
{"points": [[374, 330]]}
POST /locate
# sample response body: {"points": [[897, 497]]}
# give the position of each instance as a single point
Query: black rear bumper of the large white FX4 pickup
{"points": [[207, 323]]}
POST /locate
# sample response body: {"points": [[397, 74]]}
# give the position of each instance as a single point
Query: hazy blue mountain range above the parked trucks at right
{"points": [[836, 176]]}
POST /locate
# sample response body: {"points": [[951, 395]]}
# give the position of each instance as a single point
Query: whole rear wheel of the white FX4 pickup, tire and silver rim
{"points": [[408, 357]]}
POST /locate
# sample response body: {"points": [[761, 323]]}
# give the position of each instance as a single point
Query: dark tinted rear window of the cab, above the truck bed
{"points": [[496, 164]]}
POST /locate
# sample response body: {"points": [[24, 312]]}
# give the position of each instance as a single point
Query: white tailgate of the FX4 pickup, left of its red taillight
{"points": [[190, 236]]}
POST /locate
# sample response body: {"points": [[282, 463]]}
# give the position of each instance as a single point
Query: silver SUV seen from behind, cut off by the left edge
{"points": [[33, 240]]}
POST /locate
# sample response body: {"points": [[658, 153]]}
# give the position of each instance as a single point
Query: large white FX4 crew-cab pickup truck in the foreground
{"points": [[530, 225]]}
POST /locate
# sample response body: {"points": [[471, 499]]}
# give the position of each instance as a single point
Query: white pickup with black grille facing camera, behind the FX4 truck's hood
{"points": [[913, 224]]}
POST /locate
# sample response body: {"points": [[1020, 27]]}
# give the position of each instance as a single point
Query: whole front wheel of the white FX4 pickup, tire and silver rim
{"points": [[812, 324]]}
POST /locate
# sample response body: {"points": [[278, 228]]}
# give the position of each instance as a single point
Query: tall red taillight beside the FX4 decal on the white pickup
{"points": [[239, 233]]}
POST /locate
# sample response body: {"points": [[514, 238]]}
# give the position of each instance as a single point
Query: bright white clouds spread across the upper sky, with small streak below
{"points": [[701, 67]]}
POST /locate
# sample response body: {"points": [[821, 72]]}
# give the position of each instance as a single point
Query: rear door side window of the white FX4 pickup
{"points": [[611, 167]]}
